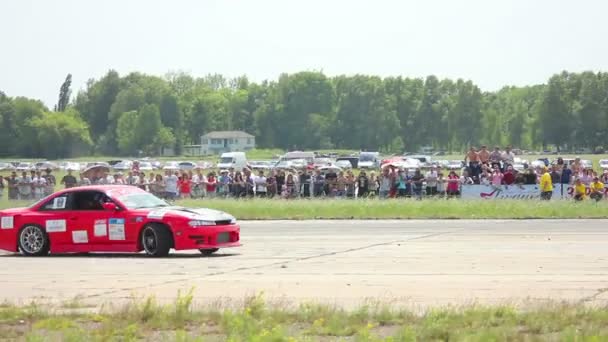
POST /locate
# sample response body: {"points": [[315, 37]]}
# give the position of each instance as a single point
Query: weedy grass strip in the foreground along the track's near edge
{"points": [[255, 320]]}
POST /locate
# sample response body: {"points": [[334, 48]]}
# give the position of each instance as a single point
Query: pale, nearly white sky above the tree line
{"points": [[493, 43]]}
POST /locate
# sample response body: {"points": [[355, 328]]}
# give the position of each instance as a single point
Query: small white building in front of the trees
{"points": [[226, 141]]}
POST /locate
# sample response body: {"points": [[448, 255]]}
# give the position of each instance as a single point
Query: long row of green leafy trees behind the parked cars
{"points": [[139, 113]]}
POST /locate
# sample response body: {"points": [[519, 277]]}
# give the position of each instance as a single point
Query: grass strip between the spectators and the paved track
{"points": [[274, 209]]}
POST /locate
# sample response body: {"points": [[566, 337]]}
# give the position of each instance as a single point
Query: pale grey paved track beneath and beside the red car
{"points": [[413, 263]]}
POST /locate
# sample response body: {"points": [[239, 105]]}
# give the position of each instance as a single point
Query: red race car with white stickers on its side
{"points": [[113, 218]]}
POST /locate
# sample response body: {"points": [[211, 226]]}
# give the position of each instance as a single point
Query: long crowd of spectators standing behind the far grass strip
{"points": [[482, 167]]}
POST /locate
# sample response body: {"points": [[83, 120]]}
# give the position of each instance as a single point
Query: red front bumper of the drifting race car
{"points": [[207, 237]]}
